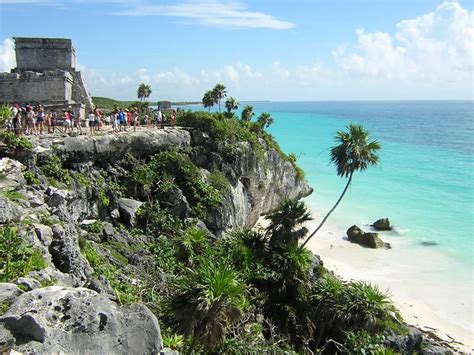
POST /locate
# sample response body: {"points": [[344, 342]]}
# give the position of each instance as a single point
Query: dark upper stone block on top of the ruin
{"points": [[39, 54]]}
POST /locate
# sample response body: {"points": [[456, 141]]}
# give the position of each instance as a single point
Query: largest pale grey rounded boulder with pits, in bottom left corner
{"points": [[80, 321]]}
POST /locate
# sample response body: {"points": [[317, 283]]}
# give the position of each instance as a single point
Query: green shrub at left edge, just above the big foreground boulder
{"points": [[17, 258]]}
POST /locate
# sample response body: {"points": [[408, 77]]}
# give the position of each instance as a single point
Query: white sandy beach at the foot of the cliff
{"points": [[443, 310]]}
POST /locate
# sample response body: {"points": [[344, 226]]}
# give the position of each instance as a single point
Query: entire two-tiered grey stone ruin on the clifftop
{"points": [[46, 72]]}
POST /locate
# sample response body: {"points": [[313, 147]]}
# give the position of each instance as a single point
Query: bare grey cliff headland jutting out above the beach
{"points": [[258, 185]]}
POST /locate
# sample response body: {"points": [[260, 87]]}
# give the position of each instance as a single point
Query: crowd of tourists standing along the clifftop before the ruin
{"points": [[35, 120]]}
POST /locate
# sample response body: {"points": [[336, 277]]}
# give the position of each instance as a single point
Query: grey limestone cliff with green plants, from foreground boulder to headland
{"points": [[74, 200]]}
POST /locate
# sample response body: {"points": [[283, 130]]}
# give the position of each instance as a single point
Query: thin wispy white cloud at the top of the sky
{"points": [[212, 13]]}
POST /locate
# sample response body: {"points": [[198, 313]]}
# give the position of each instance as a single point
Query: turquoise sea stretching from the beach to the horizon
{"points": [[424, 183]]}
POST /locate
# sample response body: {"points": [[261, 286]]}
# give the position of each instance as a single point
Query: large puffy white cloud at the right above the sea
{"points": [[436, 47]]}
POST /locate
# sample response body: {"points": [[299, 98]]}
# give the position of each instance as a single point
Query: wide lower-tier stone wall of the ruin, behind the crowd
{"points": [[32, 87]]}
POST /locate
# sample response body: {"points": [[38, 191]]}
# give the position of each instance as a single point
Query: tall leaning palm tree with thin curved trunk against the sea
{"points": [[353, 153]]}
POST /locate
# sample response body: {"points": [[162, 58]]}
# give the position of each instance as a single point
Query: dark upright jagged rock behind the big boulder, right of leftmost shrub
{"points": [[65, 254]]}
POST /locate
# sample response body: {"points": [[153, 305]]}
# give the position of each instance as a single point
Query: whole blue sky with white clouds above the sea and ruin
{"points": [[268, 49]]}
